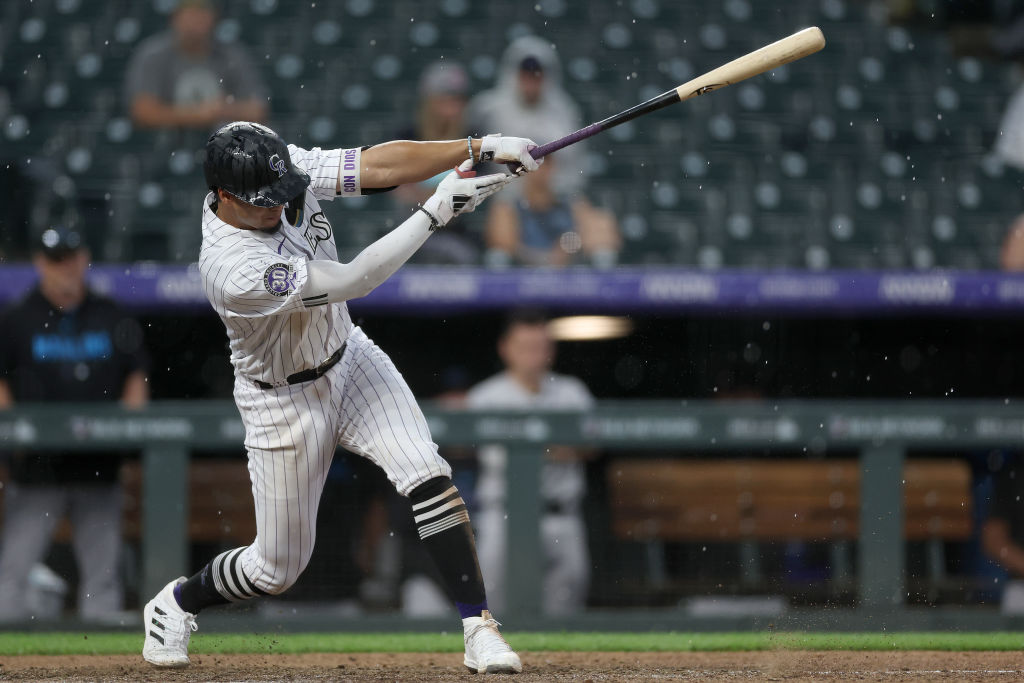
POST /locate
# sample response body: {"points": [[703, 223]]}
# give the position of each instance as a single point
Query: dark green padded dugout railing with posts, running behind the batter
{"points": [[882, 433]]}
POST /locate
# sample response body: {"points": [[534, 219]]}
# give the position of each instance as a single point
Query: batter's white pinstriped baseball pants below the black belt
{"points": [[362, 404]]}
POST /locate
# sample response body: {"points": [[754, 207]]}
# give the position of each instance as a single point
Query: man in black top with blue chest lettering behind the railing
{"points": [[66, 344]]}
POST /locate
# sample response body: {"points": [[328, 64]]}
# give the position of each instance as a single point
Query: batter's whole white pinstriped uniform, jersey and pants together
{"points": [[258, 282]]}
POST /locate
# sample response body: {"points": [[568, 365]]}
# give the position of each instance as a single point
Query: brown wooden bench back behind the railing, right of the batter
{"points": [[765, 500]]}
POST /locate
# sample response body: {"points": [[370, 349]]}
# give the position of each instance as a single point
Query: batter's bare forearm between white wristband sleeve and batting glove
{"points": [[403, 162]]}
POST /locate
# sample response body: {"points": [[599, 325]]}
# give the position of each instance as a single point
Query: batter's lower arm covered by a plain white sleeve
{"points": [[342, 282]]}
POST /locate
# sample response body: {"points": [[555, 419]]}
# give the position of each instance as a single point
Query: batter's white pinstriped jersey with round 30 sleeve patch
{"points": [[255, 279]]}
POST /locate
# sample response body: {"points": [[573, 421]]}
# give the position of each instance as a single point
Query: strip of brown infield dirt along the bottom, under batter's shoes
{"points": [[773, 666]]}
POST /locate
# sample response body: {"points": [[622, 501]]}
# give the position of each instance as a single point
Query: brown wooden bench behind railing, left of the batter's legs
{"points": [[221, 503]]}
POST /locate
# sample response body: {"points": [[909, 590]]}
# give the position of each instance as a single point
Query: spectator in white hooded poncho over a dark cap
{"points": [[529, 100]]}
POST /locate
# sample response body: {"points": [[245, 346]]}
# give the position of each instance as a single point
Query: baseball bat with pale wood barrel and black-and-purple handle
{"points": [[781, 53]]}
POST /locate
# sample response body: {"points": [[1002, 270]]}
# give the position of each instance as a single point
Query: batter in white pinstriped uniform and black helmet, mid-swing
{"points": [[308, 379]]}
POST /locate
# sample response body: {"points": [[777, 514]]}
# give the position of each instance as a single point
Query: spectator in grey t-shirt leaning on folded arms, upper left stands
{"points": [[185, 79]]}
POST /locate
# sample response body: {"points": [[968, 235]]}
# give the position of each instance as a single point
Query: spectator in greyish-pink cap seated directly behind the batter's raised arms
{"points": [[441, 112]]}
